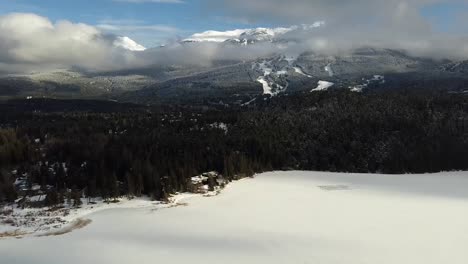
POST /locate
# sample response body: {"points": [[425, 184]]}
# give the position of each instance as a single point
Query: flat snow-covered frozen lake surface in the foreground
{"points": [[278, 217]]}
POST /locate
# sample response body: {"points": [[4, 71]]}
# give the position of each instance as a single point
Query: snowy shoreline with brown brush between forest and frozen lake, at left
{"points": [[39, 222]]}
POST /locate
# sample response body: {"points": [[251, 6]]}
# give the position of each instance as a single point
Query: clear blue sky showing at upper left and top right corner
{"points": [[151, 23]]}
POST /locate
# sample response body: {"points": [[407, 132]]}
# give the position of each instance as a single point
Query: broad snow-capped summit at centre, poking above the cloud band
{"points": [[248, 36]]}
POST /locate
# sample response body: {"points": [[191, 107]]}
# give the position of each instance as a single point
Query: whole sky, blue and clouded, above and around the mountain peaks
{"points": [[50, 32]]}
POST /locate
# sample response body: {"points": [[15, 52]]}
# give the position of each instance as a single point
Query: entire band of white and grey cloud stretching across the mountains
{"points": [[31, 42]]}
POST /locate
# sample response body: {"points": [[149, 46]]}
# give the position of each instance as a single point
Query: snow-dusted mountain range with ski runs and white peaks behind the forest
{"points": [[239, 81]]}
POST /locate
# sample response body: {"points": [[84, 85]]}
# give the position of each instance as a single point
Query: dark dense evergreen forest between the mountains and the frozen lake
{"points": [[107, 149]]}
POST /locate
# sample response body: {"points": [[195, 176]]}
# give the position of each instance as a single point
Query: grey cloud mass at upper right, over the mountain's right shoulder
{"points": [[397, 24]]}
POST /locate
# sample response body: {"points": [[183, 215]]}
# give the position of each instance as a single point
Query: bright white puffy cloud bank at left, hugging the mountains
{"points": [[29, 42]]}
